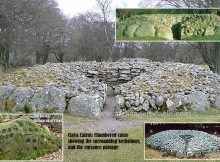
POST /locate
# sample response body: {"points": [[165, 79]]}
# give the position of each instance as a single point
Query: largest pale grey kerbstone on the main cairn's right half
{"points": [[199, 101]]}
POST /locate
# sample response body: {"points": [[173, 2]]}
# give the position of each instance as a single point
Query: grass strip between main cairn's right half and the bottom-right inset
{"points": [[212, 115]]}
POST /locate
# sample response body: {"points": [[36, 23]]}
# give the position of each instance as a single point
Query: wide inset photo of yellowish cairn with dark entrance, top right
{"points": [[167, 24]]}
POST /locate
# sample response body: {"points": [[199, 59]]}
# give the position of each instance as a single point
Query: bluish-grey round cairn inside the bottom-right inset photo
{"points": [[172, 141]]}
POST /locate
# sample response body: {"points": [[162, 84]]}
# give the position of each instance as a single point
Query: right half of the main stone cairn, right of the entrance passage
{"points": [[170, 87]]}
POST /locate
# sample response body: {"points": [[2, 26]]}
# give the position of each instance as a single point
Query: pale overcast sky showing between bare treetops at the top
{"points": [[73, 7]]}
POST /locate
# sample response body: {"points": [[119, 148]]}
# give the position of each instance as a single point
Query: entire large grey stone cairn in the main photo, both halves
{"points": [[80, 88]]}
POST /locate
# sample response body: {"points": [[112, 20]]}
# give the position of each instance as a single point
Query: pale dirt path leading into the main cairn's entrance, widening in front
{"points": [[107, 123]]}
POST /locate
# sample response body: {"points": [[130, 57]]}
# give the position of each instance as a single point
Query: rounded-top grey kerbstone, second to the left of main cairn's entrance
{"points": [[50, 99]]}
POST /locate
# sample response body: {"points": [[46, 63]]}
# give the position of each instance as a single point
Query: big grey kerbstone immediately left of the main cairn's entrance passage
{"points": [[84, 105]]}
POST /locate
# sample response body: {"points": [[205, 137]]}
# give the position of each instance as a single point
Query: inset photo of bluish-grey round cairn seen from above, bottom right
{"points": [[182, 141]]}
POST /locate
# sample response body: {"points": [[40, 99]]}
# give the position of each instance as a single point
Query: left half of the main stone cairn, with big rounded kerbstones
{"points": [[53, 88]]}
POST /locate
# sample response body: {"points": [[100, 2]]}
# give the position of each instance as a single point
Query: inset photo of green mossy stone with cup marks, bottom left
{"points": [[31, 137]]}
